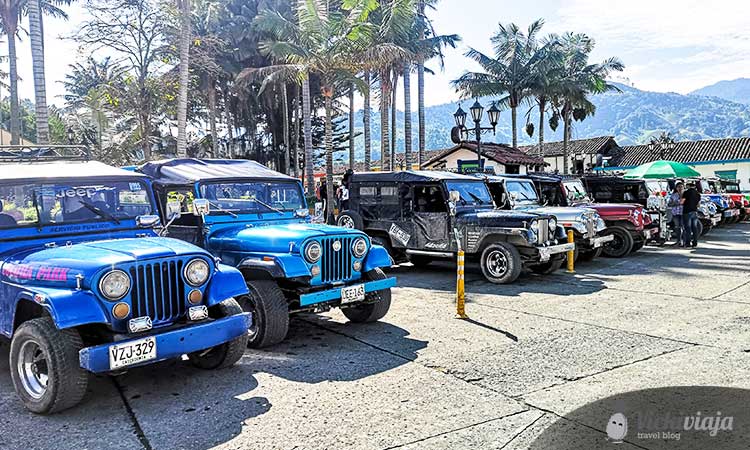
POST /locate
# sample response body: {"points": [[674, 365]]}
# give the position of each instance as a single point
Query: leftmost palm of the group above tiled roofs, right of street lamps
{"points": [[510, 73]]}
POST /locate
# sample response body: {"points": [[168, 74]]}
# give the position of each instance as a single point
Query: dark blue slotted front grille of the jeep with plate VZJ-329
{"points": [[158, 290]]}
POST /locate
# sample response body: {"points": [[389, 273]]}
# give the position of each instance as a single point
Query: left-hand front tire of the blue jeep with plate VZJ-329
{"points": [[66, 381]]}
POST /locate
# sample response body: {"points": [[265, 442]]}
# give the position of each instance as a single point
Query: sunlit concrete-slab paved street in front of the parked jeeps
{"points": [[533, 368]]}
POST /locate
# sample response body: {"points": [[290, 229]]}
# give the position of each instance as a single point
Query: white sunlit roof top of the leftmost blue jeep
{"points": [[62, 170]]}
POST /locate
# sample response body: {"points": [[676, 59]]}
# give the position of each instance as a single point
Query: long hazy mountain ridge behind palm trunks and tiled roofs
{"points": [[632, 116]]}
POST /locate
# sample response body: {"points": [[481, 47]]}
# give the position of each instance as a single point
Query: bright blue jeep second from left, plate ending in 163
{"points": [[258, 222]]}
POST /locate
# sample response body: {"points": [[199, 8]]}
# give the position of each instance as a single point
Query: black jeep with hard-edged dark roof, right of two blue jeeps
{"points": [[421, 216]]}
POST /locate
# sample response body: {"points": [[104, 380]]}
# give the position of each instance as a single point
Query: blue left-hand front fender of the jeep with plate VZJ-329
{"points": [[68, 308]]}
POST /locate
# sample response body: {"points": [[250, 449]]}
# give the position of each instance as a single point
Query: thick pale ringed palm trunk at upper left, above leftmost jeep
{"points": [[34, 9]]}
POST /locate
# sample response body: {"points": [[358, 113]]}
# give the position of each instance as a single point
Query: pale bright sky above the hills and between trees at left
{"points": [[666, 45]]}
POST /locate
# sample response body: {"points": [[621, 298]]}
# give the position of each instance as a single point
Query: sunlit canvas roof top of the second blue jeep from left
{"points": [[191, 170]]}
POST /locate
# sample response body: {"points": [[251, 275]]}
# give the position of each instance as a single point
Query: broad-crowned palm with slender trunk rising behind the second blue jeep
{"points": [[333, 45]]}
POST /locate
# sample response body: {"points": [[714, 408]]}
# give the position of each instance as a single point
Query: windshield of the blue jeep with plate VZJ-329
{"points": [[41, 204]]}
